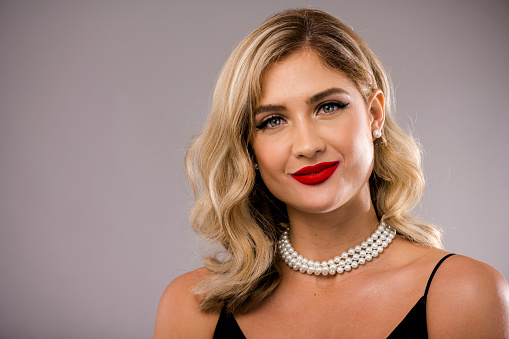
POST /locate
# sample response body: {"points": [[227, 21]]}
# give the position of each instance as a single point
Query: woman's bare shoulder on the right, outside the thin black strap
{"points": [[468, 299]]}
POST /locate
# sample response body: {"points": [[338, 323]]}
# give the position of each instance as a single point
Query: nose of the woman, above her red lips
{"points": [[307, 141]]}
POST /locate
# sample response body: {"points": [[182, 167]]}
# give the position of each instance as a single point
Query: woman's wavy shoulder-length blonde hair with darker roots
{"points": [[233, 207]]}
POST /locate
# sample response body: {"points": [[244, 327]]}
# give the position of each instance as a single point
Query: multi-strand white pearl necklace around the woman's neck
{"points": [[358, 255]]}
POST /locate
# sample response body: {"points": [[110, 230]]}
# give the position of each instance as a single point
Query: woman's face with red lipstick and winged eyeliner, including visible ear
{"points": [[313, 139]]}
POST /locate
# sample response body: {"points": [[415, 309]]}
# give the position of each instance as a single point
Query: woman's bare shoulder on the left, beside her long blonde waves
{"points": [[178, 313]]}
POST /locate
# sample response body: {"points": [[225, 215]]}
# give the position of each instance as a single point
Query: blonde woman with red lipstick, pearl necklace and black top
{"points": [[301, 158]]}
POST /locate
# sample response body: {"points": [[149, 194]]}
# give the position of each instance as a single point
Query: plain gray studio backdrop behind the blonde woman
{"points": [[98, 100]]}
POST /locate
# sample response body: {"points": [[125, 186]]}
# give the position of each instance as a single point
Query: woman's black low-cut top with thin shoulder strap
{"points": [[413, 326]]}
